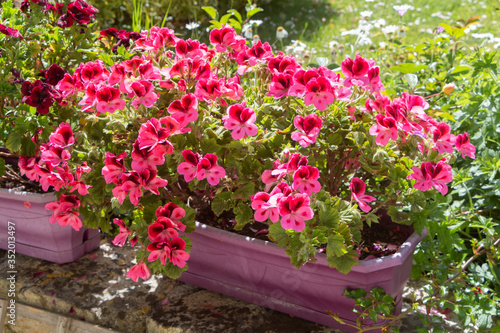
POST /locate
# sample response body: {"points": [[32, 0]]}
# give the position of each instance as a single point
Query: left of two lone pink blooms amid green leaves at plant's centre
{"points": [[240, 120]]}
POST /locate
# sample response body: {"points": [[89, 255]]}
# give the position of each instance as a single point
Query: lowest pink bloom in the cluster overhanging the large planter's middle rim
{"points": [[294, 211]]}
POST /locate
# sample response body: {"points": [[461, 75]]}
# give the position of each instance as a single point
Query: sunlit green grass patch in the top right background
{"points": [[419, 22]]}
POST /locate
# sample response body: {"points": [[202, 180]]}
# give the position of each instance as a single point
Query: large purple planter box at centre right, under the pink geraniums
{"points": [[260, 272]]}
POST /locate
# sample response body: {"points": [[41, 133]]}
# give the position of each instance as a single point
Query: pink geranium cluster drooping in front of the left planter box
{"points": [[50, 168]]}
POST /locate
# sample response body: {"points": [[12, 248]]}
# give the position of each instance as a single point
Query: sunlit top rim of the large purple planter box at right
{"points": [[364, 266]]}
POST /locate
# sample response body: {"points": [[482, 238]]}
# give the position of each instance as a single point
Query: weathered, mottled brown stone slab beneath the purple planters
{"points": [[95, 289]]}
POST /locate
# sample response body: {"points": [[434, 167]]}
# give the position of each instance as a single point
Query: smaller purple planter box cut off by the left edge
{"points": [[35, 236]]}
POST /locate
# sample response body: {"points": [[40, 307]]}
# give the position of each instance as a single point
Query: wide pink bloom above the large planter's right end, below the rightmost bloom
{"points": [[431, 174]]}
